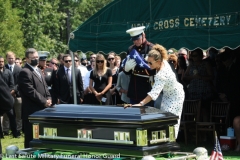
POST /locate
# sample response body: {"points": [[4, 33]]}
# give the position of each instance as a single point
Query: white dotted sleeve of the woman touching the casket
{"points": [[157, 86]]}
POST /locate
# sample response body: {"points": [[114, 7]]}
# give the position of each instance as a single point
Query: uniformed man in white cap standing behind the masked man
{"points": [[46, 71]]}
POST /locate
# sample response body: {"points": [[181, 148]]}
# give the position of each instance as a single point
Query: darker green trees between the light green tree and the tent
{"points": [[46, 24]]}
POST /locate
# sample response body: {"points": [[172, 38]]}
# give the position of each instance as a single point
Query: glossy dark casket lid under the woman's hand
{"points": [[98, 112]]}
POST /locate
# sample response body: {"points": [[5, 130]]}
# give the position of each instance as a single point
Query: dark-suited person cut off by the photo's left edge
{"points": [[7, 101]]}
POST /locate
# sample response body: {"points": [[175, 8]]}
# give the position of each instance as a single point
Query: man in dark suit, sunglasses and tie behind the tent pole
{"points": [[64, 85]]}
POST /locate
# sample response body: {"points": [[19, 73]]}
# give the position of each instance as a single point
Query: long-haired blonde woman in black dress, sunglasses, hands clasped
{"points": [[101, 82]]}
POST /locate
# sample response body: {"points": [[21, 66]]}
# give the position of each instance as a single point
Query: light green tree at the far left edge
{"points": [[11, 36]]}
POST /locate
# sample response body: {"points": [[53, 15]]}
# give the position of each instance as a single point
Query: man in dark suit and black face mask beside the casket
{"points": [[33, 90]]}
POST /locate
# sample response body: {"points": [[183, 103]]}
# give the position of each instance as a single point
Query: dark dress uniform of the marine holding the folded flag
{"points": [[139, 84]]}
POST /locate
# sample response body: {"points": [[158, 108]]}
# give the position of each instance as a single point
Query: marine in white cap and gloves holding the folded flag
{"points": [[139, 84]]}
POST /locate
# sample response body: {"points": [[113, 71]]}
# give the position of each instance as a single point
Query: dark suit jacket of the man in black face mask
{"points": [[33, 91]]}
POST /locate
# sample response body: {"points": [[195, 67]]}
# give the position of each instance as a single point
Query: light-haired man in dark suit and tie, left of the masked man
{"points": [[15, 69]]}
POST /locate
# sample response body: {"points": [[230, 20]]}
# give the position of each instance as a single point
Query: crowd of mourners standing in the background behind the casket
{"points": [[209, 76]]}
